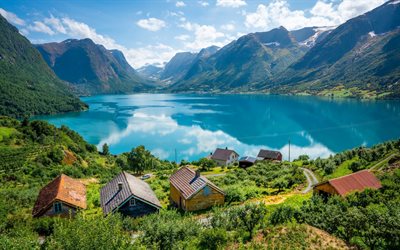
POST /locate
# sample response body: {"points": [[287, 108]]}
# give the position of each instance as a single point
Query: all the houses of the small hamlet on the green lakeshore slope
{"points": [[189, 190]]}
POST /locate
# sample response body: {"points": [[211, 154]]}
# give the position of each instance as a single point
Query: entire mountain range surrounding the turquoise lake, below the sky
{"points": [[360, 58]]}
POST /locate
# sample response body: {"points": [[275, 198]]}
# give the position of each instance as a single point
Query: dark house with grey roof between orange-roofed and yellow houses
{"points": [[129, 196]]}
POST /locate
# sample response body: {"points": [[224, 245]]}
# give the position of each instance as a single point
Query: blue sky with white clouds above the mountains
{"points": [[152, 31]]}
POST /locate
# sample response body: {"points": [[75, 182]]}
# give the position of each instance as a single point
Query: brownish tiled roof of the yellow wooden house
{"points": [[188, 185]]}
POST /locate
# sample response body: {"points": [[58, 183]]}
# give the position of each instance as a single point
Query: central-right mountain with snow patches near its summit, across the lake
{"points": [[251, 59]]}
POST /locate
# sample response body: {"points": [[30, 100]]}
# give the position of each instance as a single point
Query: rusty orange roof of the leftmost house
{"points": [[63, 188]]}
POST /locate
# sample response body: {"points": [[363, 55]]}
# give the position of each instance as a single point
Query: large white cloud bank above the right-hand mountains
{"points": [[278, 13]]}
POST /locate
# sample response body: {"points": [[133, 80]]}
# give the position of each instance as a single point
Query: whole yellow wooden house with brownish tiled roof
{"points": [[191, 192]]}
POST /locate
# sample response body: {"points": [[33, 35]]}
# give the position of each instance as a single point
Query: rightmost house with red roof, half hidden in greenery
{"points": [[344, 185]]}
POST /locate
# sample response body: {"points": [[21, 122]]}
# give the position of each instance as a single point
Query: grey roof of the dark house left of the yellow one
{"points": [[111, 198]]}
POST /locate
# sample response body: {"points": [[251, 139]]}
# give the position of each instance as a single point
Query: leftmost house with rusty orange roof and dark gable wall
{"points": [[63, 197]]}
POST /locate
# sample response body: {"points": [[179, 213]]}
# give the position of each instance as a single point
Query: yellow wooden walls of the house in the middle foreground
{"points": [[205, 199]]}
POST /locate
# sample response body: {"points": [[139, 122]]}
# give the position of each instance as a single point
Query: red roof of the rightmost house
{"points": [[354, 182]]}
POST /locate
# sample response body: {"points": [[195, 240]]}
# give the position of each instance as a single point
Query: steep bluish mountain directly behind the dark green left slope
{"points": [[91, 68]]}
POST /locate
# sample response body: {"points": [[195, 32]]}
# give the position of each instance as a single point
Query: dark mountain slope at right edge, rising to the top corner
{"points": [[362, 54]]}
